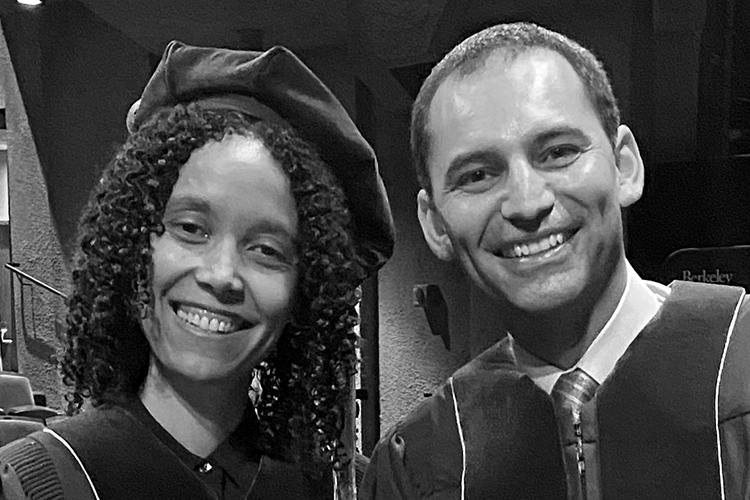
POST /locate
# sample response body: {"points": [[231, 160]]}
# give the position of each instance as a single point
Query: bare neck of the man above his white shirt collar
{"points": [[563, 335]]}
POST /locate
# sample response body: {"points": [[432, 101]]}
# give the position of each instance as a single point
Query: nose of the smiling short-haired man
{"points": [[528, 198]]}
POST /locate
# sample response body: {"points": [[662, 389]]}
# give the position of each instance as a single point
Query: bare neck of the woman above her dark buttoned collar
{"points": [[199, 415]]}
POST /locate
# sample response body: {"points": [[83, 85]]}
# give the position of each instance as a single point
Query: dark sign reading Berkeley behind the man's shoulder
{"points": [[718, 265]]}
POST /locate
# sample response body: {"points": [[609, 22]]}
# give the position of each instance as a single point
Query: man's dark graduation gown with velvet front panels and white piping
{"points": [[670, 422]]}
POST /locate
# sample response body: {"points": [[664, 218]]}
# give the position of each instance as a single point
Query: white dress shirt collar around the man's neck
{"points": [[639, 303]]}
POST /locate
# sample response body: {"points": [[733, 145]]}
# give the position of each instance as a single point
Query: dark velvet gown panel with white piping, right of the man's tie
{"points": [[657, 412]]}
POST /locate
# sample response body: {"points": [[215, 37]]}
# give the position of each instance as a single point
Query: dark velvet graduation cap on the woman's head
{"points": [[276, 86]]}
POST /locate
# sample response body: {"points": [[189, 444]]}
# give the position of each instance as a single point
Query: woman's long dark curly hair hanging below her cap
{"points": [[306, 378]]}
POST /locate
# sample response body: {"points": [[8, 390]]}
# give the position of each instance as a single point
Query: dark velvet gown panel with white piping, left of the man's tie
{"points": [[512, 448]]}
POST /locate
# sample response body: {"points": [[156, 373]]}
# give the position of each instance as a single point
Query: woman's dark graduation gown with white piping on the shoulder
{"points": [[118, 454]]}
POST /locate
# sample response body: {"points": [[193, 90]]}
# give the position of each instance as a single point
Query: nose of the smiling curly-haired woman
{"points": [[219, 271]]}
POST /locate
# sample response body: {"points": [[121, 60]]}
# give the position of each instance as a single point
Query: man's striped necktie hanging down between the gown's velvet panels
{"points": [[571, 391]]}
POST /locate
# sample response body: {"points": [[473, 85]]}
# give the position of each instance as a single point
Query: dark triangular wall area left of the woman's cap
{"points": [[79, 75]]}
